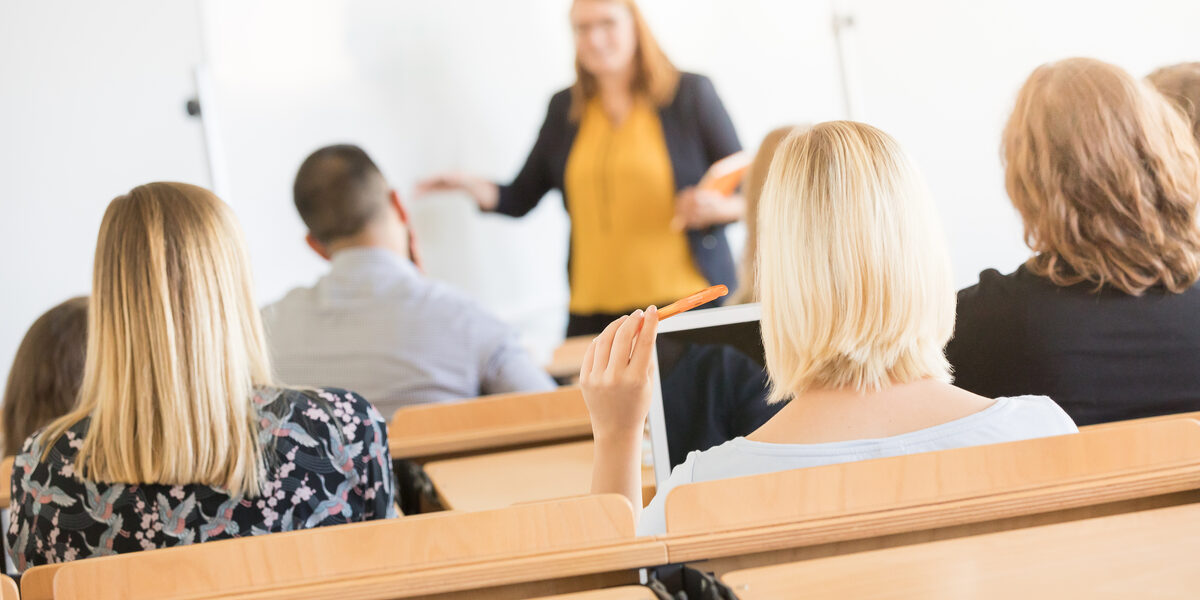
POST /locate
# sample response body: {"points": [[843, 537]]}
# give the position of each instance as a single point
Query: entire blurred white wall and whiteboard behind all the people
{"points": [[93, 103]]}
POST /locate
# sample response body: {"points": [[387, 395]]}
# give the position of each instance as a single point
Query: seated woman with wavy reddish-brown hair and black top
{"points": [[1106, 316]]}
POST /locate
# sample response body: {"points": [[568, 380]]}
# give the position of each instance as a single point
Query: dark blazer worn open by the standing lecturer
{"points": [[698, 131]]}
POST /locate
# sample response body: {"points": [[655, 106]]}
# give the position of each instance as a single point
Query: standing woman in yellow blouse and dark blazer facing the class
{"points": [[627, 146]]}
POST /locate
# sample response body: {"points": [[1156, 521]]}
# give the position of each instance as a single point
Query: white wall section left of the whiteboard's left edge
{"points": [[92, 104]]}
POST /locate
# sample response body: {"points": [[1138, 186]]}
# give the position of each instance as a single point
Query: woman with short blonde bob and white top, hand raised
{"points": [[857, 304]]}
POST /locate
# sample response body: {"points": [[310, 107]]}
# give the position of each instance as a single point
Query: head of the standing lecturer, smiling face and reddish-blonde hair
{"points": [[614, 43]]}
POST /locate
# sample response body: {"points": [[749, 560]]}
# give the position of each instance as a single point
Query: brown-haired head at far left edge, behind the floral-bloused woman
{"points": [[46, 374]]}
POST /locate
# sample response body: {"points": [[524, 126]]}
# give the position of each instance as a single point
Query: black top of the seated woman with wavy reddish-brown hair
{"points": [[1102, 357]]}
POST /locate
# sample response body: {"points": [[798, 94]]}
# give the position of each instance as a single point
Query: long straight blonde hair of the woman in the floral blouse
{"points": [[176, 347]]}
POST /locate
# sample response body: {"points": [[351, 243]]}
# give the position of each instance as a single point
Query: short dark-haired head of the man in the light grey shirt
{"points": [[345, 201]]}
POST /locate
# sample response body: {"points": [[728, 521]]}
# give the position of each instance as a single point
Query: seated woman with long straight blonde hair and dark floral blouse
{"points": [[182, 435]]}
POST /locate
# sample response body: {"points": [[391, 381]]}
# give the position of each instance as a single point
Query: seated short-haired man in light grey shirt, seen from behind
{"points": [[375, 323]]}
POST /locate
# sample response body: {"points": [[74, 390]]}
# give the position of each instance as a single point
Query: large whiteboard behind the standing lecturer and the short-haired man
{"points": [[425, 88]]}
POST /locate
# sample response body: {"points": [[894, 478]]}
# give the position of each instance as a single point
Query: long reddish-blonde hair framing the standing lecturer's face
{"points": [[656, 77]]}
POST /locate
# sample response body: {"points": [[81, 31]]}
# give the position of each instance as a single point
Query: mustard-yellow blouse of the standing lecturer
{"points": [[621, 199]]}
